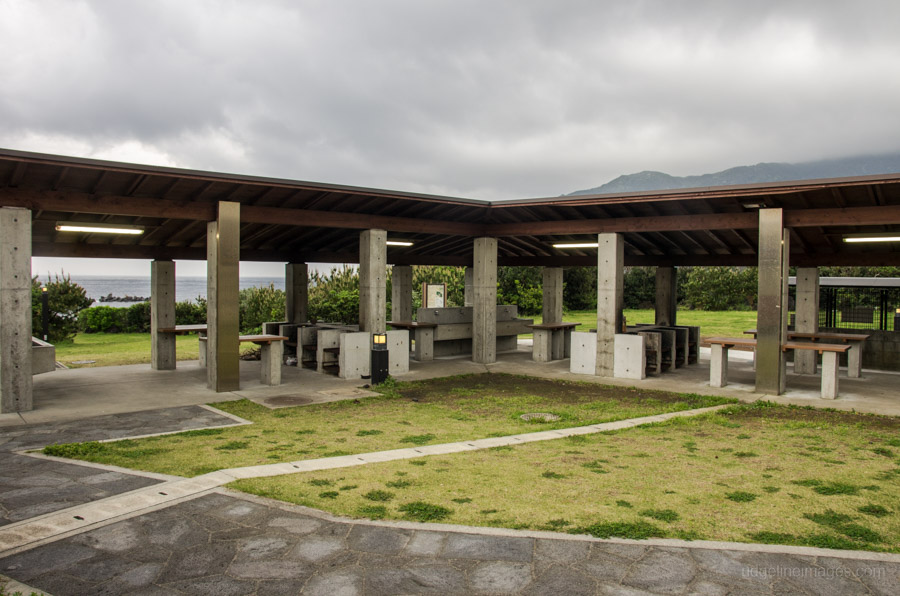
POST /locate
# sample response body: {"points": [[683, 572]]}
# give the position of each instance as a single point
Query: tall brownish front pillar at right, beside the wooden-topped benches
{"points": [[771, 315]]}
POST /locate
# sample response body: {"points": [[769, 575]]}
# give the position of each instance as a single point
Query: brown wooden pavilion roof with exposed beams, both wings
{"points": [[290, 220]]}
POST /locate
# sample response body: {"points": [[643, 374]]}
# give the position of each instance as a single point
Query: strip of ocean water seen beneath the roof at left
{"points": [[186, 288]]}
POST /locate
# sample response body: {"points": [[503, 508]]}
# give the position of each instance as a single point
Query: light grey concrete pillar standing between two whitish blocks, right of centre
{"points": [[610, 299]]}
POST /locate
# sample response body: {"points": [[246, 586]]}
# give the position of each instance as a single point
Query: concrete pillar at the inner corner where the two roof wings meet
{"points": [[484, 298]]}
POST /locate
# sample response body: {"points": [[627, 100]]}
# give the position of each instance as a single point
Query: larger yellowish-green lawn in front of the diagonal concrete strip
{"points": [[815, 478]]}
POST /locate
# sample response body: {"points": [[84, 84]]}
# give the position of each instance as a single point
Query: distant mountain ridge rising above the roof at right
{"points": [[762, 172]]}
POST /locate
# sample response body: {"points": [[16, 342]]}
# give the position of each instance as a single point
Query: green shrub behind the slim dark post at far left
{"points": [[65, 300]]}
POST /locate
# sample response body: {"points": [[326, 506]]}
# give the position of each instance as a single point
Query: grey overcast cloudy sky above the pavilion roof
{"points": [[483, 99]]}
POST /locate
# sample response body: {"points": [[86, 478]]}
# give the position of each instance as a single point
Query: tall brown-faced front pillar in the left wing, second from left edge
{"points": [[222, 266]]}
